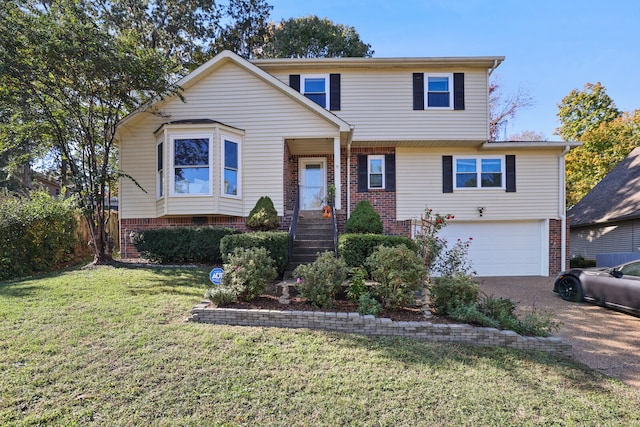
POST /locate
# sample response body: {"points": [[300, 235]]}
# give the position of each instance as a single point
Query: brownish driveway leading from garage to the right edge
{"points": [[603, 339]]}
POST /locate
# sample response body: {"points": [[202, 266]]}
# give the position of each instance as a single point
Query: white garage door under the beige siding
{"points": [[504, 248]]}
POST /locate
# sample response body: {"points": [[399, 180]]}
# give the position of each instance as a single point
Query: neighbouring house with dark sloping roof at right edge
{"points": [[607, 219]]}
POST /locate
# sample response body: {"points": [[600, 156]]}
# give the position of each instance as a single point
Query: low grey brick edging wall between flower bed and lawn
{"points": [[356, 323]]}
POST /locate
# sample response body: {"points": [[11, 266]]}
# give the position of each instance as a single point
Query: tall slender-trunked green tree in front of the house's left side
{"points": [[69, 82]]}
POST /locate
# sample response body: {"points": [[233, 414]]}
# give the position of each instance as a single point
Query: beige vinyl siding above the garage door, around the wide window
{"points": [[419, 185]]}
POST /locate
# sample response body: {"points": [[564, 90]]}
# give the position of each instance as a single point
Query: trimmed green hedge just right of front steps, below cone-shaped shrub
{"points": [[354, 249]]}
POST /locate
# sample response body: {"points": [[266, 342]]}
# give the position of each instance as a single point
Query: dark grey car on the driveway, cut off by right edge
{"points": [[617, 287]]}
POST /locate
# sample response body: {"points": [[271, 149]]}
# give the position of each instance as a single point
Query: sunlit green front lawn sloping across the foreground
{"points": [[109, 346]]}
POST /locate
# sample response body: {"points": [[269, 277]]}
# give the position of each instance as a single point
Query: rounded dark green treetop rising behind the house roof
{"points": [[312, 37]]}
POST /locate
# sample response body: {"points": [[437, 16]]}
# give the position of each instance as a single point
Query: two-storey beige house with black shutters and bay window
{"points": [[404, 133]]}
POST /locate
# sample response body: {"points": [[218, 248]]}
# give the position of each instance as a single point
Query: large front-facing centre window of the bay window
{"points": [[191, 160]]}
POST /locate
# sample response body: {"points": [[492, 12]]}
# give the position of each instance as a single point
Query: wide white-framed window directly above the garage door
{"points": [[479, 172]]}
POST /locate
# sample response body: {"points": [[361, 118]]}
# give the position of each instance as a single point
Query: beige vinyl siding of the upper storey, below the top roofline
{"points": [[379, 103]]}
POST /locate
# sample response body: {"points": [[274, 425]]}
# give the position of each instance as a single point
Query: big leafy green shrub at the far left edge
{"points": [[36, 234]]}
